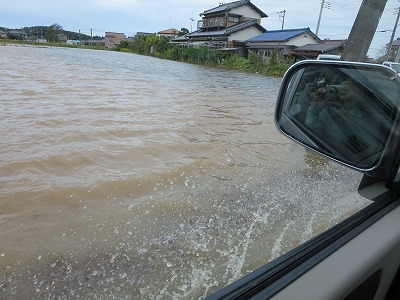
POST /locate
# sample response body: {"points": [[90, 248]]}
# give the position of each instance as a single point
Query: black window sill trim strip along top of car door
{"points": [[275, 275]]}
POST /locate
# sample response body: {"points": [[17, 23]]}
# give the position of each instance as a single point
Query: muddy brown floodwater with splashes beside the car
{"points": [[130, 177]]}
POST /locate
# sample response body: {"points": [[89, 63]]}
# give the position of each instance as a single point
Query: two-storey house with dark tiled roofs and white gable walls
{"points": [[226, 26]]}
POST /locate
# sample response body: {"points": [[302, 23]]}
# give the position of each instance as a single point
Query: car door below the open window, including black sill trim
{"points": [[337, 264]]}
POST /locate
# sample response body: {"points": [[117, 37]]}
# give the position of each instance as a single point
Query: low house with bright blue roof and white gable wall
{"points": [[284, 41]]}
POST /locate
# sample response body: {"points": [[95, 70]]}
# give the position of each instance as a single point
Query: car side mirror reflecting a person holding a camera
{"points": [[345, 111]]}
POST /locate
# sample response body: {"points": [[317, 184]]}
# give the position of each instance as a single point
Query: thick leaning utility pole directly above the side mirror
{"points": [[363, 30]]}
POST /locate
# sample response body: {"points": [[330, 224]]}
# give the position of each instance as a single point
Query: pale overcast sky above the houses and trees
{"points": [[131, 16]]}
